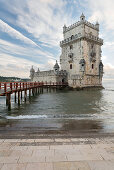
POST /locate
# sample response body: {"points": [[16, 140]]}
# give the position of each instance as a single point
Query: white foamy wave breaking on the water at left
{"points": [[26, 117]]}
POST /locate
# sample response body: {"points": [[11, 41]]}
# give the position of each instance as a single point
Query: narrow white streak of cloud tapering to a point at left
{"points": [[4, 27]]}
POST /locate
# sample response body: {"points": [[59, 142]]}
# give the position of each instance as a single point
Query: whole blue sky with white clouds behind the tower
{"points": [[30, 32]]}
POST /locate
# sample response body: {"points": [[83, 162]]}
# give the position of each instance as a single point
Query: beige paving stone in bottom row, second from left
{"points": [[39, 166]]}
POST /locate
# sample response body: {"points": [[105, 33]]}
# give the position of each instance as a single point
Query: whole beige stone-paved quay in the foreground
{"points": [[57, 154]]}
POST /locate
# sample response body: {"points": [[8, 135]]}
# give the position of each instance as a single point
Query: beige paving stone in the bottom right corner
{"points": [[101, 165]]}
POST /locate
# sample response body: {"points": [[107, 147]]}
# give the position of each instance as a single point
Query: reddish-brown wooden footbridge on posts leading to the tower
{"points": [[8, 88]]}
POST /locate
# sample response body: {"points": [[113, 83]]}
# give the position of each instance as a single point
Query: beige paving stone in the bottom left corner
{"points": [[14, 167]]}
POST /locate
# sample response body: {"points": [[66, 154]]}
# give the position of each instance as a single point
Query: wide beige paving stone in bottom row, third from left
{"points": [[71, 166]]}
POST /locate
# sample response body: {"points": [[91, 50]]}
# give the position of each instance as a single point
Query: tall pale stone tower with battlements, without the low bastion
{"points": [[81, 54]]}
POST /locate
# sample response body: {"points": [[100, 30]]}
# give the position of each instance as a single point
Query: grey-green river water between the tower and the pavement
{"points": [[61, 112]]}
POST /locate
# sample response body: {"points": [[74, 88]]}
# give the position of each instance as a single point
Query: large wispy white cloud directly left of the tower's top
{"points": [[42, 19]]}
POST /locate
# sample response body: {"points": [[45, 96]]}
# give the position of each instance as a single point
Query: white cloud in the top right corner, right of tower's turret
{"points": [[102, 11]]}
